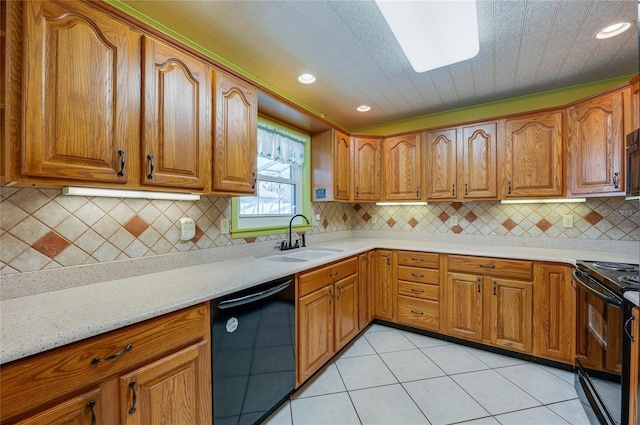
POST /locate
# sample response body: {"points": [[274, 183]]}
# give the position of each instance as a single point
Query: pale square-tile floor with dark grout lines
{"points": [[388, 376]]}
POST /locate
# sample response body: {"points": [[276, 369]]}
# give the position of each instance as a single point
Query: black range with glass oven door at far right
{"points": [[599, 337]]}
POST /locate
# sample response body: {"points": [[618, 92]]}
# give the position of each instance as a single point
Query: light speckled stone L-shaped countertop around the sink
{"points": [[36, 323]]}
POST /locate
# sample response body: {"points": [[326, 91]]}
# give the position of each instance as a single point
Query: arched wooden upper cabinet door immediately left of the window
{"points": [[235, 145]]}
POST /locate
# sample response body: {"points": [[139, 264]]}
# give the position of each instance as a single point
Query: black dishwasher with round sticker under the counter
{"points": [[253, 352]]}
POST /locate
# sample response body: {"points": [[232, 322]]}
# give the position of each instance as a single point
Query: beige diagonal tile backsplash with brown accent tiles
{"points": [[42, 229]]}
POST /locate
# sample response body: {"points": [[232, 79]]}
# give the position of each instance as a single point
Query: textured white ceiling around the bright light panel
{"points": [[526, 46]]}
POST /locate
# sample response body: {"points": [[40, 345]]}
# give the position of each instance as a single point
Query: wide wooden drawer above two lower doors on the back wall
{"points": [[516, 269]]}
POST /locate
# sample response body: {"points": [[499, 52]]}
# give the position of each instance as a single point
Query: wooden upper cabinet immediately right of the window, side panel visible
{"points": [[331, 166]]}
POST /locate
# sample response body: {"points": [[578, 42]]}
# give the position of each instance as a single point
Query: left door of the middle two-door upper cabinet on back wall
{"points": [[442, 164]]}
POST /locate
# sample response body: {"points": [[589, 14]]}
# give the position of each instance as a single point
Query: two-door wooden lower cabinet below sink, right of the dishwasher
{"points": [[327, 309]]}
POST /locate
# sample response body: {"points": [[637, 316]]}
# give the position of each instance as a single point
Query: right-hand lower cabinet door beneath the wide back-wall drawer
{"points": [[512, 314]]}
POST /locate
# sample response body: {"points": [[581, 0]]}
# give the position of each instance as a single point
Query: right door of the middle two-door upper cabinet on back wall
{"points": [[479, 147]]}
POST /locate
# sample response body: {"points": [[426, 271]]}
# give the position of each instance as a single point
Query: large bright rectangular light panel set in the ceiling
{"points": [[433, 33]]}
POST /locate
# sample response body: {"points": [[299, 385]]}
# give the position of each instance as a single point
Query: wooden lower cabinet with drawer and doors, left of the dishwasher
{"points": [[154, 372]]}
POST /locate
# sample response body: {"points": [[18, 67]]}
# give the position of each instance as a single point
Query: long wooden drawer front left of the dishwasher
{"points": [[39, 379]]}
